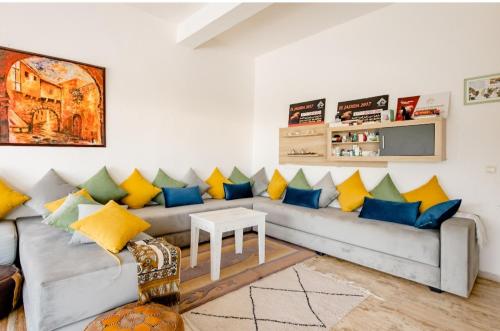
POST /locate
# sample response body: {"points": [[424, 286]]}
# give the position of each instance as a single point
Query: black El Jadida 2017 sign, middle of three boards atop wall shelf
{"points": [[364, 110]]}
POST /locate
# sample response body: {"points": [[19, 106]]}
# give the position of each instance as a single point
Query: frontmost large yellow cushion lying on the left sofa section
{"points": [[111, 227]]}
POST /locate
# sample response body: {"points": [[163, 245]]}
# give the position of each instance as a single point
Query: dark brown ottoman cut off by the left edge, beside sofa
{"points": [[10, 289]]}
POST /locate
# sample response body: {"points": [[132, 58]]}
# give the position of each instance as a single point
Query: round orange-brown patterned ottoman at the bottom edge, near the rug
{"points": [[137, 317]]}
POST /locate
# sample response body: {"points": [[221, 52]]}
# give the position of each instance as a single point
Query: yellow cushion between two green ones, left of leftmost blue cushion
{"points": [[139, 190]]}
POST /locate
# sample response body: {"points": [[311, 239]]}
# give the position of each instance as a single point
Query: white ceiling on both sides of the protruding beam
{"points": [[274, 27]]}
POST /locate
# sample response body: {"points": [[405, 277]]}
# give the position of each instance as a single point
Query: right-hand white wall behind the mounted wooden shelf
{"points": [[402, 50]]}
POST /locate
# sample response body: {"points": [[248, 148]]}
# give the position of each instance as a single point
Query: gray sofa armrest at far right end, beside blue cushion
{"points": [[459, 256]]}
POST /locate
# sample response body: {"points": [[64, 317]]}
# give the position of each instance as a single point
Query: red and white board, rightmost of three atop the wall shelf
{"points": [[422, 106]]}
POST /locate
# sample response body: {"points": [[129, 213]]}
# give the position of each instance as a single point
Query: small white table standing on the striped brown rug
{"points": [[218, 221]]}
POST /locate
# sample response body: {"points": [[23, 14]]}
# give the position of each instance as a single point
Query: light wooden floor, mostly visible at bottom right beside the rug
{"points": [[398, 304]]}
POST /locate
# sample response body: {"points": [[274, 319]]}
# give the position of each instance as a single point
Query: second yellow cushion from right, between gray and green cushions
{"points": [[352, 193]]}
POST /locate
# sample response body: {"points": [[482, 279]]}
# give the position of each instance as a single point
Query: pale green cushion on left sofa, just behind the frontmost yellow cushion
{"points": [[65, 215]]}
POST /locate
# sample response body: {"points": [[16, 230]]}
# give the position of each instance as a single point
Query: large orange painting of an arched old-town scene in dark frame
{"points": [[48, 101]]}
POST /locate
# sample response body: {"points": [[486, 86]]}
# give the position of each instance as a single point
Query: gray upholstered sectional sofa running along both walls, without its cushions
{"points": [[68, 286]]}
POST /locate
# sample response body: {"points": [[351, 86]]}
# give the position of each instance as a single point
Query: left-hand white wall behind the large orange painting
{"points": [[166, 106]]}
